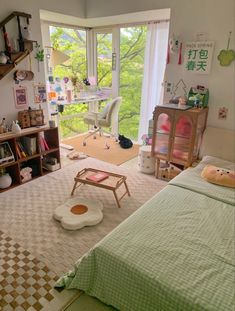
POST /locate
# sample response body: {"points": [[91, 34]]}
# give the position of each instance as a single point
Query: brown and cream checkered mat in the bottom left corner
{"points": [[25, 282]]}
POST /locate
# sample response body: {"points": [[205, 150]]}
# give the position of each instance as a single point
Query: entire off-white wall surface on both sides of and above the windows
{"points": [[215, 17]]}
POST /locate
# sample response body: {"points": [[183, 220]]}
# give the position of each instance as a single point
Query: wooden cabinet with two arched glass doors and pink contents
{"points": [[177, 135]]}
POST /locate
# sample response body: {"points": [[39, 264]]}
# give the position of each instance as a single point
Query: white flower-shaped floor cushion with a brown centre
{"points": [[77, 213]]}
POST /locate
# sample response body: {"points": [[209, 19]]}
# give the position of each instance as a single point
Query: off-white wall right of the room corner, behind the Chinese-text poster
{"points": [[213, 17]]}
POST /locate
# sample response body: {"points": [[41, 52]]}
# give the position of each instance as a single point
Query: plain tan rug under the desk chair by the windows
{"points": [[96, 148]]}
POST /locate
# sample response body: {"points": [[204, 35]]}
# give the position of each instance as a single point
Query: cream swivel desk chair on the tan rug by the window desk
{"points": [[103, 119]]}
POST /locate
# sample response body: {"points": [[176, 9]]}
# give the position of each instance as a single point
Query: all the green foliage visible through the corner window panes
{"points": [[132, 46]]}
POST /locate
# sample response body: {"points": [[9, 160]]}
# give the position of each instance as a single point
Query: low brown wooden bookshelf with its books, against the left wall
{"points": [[34, 148]]}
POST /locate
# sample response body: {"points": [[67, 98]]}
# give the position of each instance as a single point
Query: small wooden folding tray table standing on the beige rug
{"points": [[113, 182]]}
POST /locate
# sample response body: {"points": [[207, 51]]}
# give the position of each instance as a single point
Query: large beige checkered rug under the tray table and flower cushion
{"points": [[26, 212]]}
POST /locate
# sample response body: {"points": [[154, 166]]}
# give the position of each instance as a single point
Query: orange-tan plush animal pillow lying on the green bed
{"points": [[219, 176]]}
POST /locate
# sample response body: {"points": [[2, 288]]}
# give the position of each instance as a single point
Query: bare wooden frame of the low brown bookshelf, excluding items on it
{"points": [[34, 161]]}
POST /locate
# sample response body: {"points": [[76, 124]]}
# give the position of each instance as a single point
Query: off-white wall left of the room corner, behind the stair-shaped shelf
{"points": [[70, 7]]}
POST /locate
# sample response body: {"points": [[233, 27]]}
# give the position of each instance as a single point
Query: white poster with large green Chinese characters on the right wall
{"points": [[198, 56]]}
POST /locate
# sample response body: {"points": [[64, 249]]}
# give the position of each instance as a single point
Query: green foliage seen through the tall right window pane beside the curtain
{"points": [[132, 47]]}
